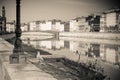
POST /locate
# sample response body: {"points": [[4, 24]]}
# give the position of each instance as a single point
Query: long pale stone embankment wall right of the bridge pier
{"points": [[96, 35]]}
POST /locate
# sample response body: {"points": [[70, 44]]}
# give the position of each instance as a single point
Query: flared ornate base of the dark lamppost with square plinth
{"points": [[18, 55]]}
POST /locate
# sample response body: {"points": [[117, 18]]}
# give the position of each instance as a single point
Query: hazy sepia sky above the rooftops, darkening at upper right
{"points": [[32, 10]]}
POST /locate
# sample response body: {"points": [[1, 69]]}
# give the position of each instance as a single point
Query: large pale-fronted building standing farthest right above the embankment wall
{"points": [[110, 21]]}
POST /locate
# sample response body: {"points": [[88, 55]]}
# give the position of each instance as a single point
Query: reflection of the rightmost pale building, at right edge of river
{"points": [[110, 53]]}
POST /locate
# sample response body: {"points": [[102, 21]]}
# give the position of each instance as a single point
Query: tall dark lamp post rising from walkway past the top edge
{"points": [[17, 51]]}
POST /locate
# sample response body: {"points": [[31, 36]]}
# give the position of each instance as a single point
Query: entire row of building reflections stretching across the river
{"points": [[106, 52]]}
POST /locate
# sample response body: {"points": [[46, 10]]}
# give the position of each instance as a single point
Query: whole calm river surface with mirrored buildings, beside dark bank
{"points": [[105, 52]]}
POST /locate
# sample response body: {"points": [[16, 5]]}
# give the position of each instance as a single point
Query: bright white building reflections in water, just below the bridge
{"points": [[48, 44]]}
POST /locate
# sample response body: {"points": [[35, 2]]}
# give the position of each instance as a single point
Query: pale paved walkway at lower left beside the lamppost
{"points": [[24, 71]]}
